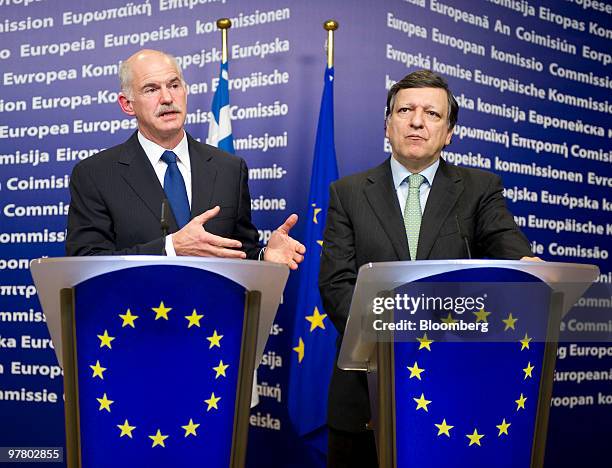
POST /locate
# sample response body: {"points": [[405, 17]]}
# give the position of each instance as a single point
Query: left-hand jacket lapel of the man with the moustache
{"points": [[140, 175]]}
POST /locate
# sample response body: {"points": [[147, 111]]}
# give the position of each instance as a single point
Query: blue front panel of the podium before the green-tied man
{"points": [[474, 404]]}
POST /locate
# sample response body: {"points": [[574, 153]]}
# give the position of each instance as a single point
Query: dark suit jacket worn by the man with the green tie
{"points": [[365, 224]]}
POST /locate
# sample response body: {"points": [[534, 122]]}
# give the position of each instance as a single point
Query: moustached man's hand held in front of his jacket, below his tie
{"points": [[193, 239]]}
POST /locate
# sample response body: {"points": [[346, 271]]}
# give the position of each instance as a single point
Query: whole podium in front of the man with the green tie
{"points": [[460, 356]]}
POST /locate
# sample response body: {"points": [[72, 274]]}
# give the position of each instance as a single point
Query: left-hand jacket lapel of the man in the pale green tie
{"points": [[382, 198]]}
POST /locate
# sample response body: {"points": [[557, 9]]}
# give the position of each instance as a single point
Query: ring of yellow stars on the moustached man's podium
{"points": [[128, 320]]}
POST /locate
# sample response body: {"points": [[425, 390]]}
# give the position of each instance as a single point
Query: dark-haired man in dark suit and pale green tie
{"points": [[414, 206]]}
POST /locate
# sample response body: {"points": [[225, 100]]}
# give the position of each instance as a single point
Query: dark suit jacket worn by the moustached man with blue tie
{"points": [[116, 200]]}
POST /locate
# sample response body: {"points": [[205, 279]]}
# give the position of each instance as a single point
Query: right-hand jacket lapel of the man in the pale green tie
{"points": [[445, 192]]}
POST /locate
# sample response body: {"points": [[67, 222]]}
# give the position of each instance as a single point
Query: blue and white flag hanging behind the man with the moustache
{"points": [[220, 127]]}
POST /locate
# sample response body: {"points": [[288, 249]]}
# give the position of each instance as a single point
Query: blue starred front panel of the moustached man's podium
{"points": [[158, 353]]}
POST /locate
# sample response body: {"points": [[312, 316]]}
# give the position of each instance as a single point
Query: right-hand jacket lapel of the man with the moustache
{"points": [[203, 175]]}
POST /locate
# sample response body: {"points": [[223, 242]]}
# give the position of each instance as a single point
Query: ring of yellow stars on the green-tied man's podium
{"points": [[422, 403]]}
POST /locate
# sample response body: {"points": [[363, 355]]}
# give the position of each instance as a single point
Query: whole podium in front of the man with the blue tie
{"points": [[158, 354]]}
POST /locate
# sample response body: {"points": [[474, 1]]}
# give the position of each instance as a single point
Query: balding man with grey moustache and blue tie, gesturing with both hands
{"points": [[116, 195]]}
